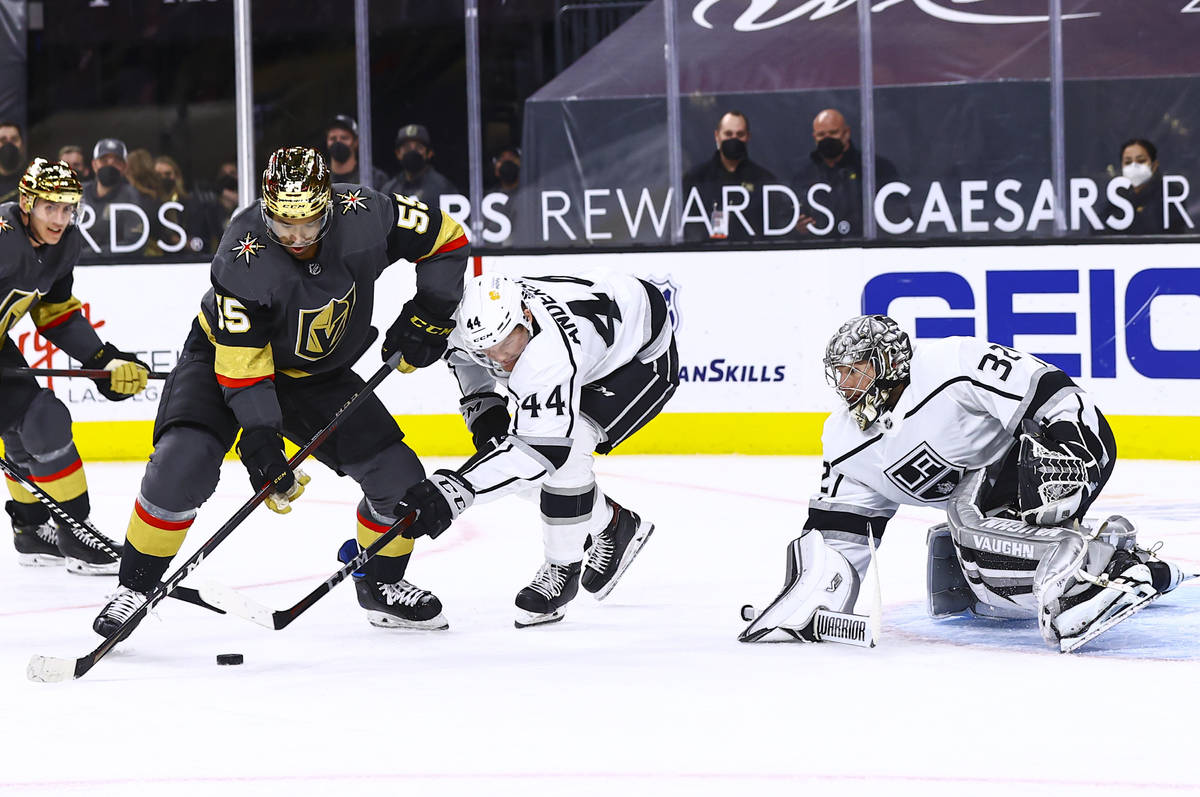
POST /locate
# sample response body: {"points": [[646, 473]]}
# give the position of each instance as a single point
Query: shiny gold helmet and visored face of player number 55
{"points": [[297, 193]]}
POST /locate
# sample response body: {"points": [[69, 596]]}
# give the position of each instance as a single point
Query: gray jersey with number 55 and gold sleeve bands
{"points": [[271, 314]]}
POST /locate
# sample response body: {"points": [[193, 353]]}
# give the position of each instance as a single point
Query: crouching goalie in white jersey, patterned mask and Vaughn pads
{"points": [[1009, 446]]}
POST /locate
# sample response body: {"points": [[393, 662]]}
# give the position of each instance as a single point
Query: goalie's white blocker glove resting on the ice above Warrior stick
{"points": [[818, 577]]}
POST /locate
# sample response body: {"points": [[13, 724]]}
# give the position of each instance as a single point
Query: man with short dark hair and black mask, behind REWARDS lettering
{"points": [[729, 166]]}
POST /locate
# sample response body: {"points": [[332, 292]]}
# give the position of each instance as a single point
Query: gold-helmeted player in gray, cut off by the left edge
{"points": [[40, 247]]}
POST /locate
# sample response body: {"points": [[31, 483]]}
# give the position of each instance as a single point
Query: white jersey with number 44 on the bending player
{"points": [[584, 329]]}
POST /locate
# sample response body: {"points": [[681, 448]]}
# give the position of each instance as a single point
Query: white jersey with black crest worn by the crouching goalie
{"points": [[962, 411]]}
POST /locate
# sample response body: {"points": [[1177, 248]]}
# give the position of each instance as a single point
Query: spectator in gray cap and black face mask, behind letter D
{"points": [[115, 230]]}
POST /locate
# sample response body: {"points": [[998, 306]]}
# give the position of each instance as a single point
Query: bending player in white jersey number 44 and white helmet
{"points": [[586, 363]]}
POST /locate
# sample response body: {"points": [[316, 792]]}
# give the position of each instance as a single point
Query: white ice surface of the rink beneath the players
{"points": [[647, 693]]}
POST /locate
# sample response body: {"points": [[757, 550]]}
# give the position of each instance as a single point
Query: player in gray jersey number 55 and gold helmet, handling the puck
{"points": [[271, 353]]}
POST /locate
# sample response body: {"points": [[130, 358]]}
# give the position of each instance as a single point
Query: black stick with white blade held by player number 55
{"points": [[49, 669]]}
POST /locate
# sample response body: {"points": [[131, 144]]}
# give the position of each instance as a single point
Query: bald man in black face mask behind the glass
{"points": [[837, 163]]}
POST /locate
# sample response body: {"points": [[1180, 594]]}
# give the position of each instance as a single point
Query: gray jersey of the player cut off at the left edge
{"points": [[39, 281]]}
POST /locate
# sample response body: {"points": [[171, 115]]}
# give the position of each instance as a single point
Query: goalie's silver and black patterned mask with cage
{"points": [[874, 341]]}
